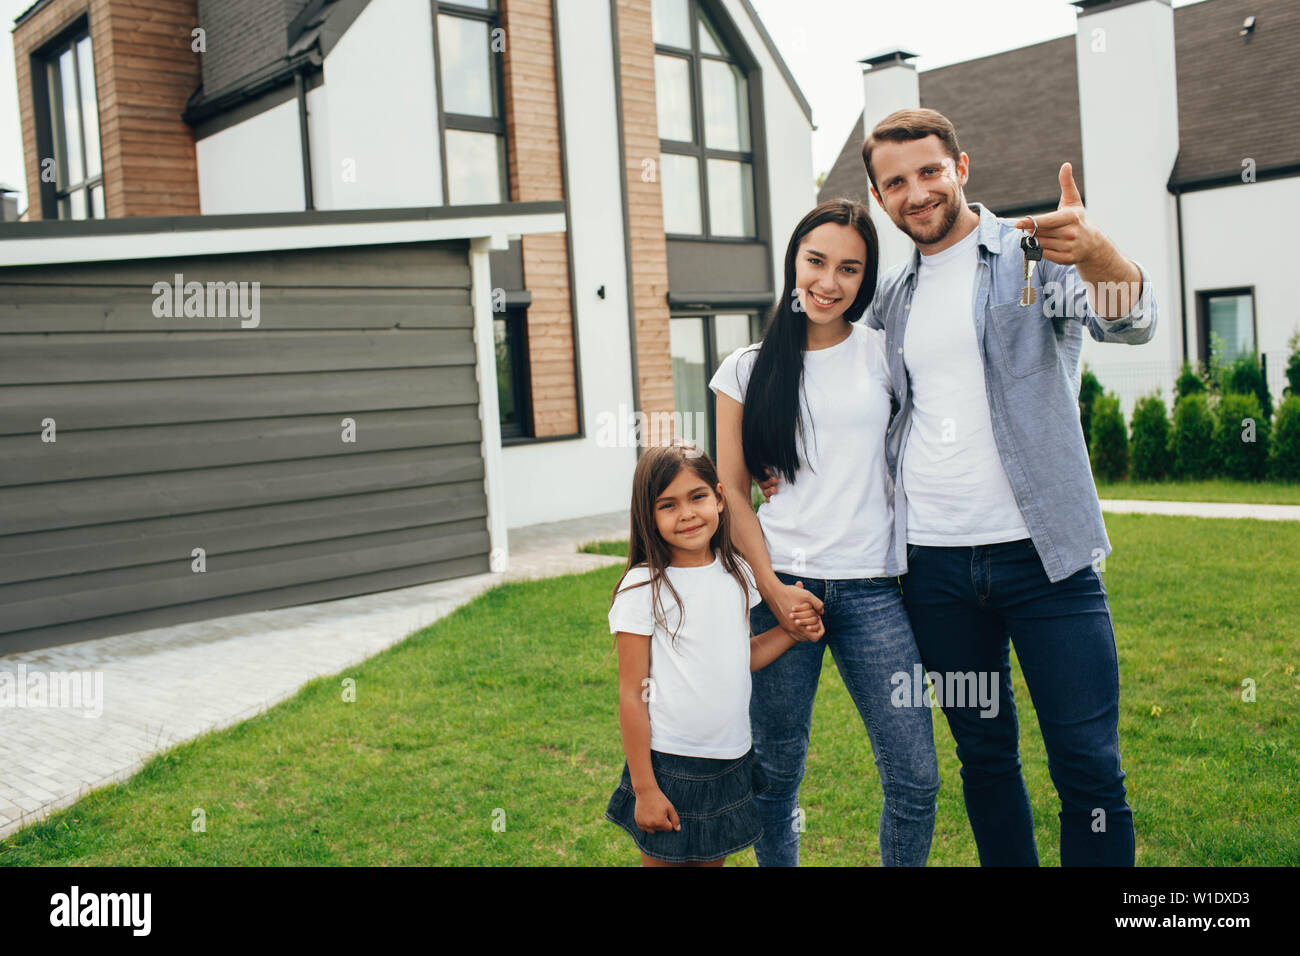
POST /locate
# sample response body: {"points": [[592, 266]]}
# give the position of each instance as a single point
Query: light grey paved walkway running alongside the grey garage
{"points": [[170, 685]]}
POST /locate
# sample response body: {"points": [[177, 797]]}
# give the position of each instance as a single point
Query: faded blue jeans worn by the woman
{"points": [[869, 635]]}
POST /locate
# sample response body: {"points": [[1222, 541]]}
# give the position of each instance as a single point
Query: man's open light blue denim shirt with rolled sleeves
{"points": [[1032, 375]]}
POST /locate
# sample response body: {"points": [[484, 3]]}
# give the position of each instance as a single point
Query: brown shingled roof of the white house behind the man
{"points": [[1233, 103]]}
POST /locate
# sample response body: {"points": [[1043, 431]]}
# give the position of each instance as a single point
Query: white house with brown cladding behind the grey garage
{"points": [[671, 131]]}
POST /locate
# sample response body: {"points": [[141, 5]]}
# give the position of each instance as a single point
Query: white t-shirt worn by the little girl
{"points": [[699, 693]]}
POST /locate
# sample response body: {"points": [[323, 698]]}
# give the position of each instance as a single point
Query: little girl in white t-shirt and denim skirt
{"points": [[686, 654]]}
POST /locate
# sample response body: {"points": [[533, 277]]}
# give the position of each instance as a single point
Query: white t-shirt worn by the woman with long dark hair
{"points": [[835, 521]]}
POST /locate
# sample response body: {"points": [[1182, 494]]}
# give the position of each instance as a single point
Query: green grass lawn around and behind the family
{"points": [[506, 712]]}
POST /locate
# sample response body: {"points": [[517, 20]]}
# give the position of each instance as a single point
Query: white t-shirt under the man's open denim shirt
{"points": [[956, 486]]}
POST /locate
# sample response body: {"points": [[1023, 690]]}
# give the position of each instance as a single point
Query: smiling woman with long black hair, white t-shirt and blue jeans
{"points": [[817, 417]]}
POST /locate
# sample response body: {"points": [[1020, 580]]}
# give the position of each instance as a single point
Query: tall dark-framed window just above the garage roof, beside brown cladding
{"points": [[471, 103]]}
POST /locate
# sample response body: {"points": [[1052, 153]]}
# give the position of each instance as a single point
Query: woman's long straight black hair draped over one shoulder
{"points": [[772, 417]]}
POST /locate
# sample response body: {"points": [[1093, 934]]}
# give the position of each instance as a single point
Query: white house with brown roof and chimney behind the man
{"points": [[1184, 131]]}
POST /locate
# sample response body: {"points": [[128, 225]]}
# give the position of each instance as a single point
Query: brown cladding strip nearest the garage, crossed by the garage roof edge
{"points": [[534, 146]]}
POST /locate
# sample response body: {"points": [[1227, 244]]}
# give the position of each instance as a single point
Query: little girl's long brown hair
{"points": [[656, 471]]}
